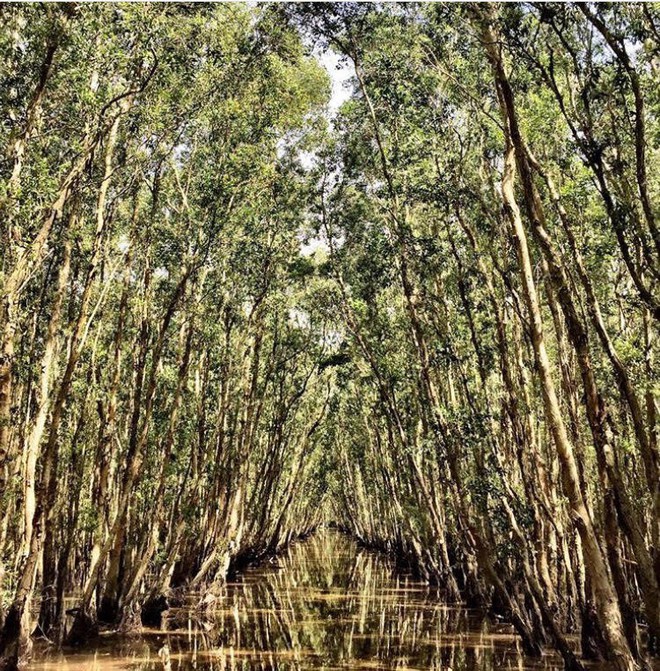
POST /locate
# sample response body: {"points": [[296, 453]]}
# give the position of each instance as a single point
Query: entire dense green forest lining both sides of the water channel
{"points": [[431, 318]]}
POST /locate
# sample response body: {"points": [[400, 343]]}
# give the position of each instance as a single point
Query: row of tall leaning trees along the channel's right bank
{"points": [[490, 204]]}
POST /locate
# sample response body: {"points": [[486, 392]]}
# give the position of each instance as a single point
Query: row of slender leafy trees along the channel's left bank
{"points": [[159, 400]]}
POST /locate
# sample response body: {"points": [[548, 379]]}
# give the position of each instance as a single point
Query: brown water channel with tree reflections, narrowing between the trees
{"points": [[326, 604]]}
